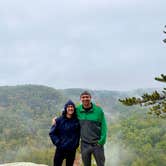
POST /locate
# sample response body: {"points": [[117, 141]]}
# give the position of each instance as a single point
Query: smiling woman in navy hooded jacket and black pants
{"points": [[65, 135]]}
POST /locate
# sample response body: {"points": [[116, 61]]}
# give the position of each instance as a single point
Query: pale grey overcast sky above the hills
{"points": [[96, 44]]}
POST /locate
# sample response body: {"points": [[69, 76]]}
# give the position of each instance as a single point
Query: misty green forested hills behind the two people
{"points": [[134, 137]]}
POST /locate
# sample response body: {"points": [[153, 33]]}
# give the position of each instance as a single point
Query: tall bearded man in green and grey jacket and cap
{"points": [[93, 130]]}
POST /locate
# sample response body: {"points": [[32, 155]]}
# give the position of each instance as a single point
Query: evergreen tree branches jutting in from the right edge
{"points": [[155, 101]]}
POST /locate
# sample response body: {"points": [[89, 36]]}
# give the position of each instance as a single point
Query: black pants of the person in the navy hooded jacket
{"points": [[60, 155]]}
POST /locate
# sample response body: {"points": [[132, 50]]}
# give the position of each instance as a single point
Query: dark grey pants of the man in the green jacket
{"points": [[88, 149]]}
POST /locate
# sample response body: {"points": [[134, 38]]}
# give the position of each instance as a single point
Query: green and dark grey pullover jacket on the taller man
{"points": [[93, 125]]}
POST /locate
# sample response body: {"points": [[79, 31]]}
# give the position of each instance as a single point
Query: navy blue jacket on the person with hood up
{"points": [[65, 134]]}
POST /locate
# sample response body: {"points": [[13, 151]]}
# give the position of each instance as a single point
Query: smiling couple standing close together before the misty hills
{"points": [[87, 122]]}
